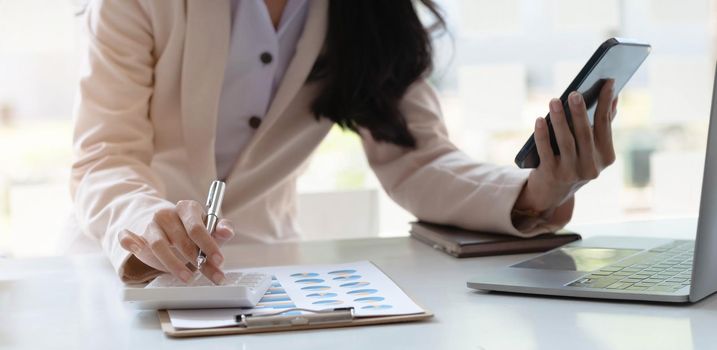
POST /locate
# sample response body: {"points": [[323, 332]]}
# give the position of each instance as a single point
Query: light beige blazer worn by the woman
{"points": [[146, 120]]}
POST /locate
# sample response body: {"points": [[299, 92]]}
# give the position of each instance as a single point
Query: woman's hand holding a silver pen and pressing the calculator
{"points": [[171, 242]]}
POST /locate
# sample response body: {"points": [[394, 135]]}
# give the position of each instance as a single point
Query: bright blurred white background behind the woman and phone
{"points": [[496, 70]]}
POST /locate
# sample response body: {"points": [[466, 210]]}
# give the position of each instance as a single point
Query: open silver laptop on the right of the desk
{"points": [[626, 268]]}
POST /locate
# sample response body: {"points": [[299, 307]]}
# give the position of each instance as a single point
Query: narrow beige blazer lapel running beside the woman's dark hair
{"points": [[307, 50]]}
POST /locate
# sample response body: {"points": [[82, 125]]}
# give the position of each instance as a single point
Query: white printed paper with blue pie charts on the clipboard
{"points": [[315, 287]]}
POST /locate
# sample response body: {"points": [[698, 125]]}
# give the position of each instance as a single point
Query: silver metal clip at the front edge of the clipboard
{"points": [[309, 317]]}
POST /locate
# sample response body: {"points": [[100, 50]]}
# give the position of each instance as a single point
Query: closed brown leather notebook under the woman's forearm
{"points": [[464, 243]]}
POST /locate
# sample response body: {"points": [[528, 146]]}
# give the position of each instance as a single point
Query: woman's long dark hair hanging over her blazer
{"points": [[374, 50]]}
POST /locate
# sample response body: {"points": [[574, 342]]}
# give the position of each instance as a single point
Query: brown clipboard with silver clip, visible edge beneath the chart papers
{"points": [[249, 324]]}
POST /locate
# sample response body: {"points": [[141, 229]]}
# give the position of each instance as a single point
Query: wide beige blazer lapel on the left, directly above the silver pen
{"points": [[206, 46]]}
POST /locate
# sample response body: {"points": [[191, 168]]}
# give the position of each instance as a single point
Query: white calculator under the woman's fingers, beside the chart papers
{"points": [[169, 292]]}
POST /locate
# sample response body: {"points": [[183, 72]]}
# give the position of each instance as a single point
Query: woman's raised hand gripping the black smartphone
{"points": [[581, 157]]}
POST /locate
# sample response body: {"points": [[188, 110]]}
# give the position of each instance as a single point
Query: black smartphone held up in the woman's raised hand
{"points": [[616, 59]]}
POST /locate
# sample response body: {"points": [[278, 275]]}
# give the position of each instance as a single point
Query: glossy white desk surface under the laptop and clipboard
{"points": [[74, 303]]}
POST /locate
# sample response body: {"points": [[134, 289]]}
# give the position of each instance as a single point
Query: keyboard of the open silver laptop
{"points": [[667, 268]]}
